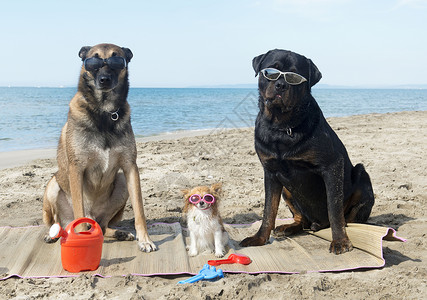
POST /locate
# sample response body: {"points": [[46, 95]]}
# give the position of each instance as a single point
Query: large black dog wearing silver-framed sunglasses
{"points": [[303, 158]]}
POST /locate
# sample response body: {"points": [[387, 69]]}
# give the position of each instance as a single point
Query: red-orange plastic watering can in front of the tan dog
{"points": [[80, 251]]}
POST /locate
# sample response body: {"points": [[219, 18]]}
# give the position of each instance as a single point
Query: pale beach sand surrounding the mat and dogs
{"points": [[391, 146]]}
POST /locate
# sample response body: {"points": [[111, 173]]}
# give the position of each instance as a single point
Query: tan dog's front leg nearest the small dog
{"points": [[134, 187]]}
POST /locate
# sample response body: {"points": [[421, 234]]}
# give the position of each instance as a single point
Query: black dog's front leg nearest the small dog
{"points": [[273, 190]]}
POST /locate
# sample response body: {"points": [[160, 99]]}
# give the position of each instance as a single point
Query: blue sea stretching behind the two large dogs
{"points": [[32, 117]]}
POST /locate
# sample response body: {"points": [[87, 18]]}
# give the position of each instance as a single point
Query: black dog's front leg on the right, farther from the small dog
{"points": [[334, 181]]}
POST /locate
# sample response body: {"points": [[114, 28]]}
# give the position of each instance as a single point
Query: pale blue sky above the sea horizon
{"points": [[197, 43]]}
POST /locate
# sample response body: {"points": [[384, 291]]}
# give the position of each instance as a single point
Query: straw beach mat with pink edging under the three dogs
{"points": [[24, 254]]}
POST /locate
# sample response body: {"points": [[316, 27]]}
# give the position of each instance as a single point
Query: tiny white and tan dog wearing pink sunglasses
{"points": [[204, 222]]}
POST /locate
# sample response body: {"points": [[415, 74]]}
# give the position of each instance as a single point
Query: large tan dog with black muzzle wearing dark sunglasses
{"points": [[97, 170]]}
